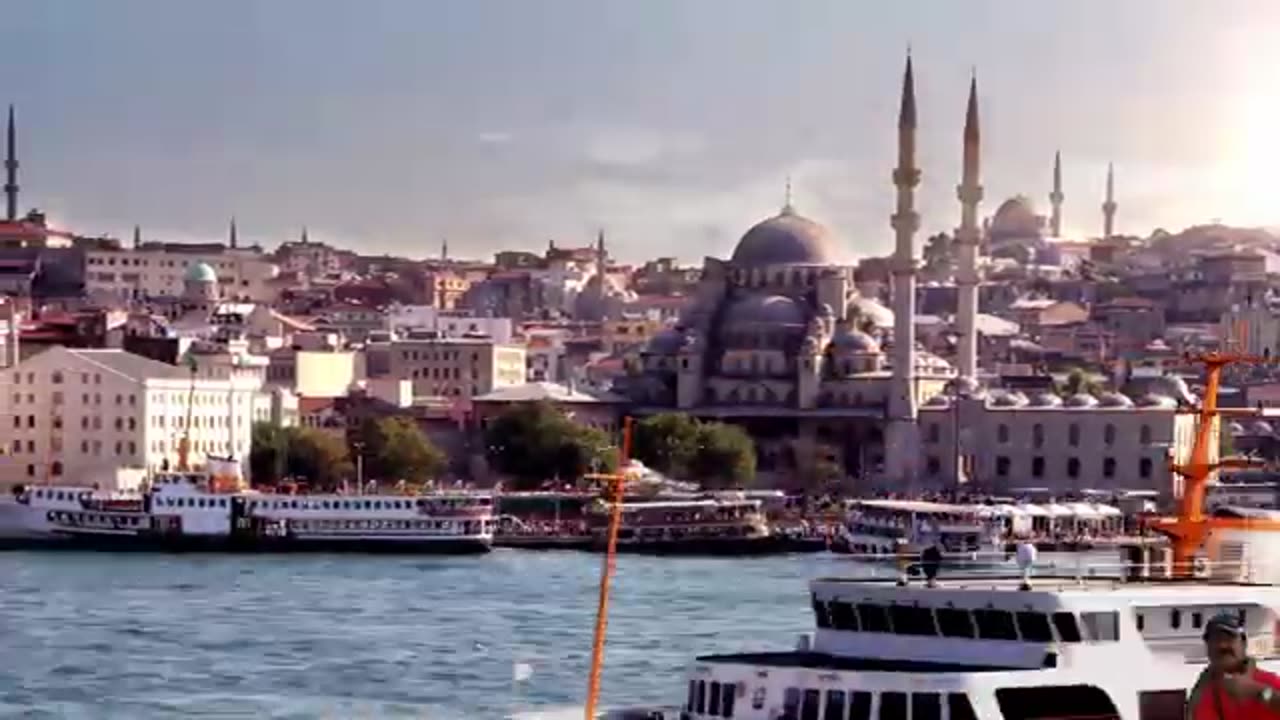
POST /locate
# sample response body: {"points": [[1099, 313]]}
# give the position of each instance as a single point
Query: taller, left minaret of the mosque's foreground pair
{"points": [[902, 441]]}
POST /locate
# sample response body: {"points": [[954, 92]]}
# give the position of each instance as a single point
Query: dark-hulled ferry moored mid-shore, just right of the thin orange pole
{"points": [[719, 526]]}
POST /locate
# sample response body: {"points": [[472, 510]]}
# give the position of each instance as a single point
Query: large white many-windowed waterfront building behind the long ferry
{"points": [[80, 417]]}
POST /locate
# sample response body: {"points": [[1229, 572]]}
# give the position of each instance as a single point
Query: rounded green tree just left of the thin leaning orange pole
{"points": [[534, 443]]}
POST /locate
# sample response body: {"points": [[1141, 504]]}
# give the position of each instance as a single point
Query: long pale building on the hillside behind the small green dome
{"points": [[161, 271]]}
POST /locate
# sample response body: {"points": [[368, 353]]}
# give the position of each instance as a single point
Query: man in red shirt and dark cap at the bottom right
{"points": [[1232, 687]]}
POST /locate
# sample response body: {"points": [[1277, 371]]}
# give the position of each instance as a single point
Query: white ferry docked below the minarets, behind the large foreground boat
{"points": [[886, 528]]}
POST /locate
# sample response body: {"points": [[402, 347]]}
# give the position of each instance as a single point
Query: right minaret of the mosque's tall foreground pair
{"points": [[970, 192]]}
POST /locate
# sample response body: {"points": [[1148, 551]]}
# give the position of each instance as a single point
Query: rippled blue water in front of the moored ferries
{"points": [[153, 636]]}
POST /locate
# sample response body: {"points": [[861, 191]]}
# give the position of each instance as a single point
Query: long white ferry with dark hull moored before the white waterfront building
{"points": [[188, 512]]}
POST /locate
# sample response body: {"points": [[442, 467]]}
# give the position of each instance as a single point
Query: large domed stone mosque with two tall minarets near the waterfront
{"points": [[778, 340]]}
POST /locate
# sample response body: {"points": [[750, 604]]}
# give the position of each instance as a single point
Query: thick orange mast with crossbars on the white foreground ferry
{"points": [[1191, 527]]}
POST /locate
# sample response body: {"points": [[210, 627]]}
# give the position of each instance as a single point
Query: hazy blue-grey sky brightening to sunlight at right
{"points": [[388, 126]]}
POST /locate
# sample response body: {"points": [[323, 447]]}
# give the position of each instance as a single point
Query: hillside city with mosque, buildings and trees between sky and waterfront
{"points": [[995, 357]]}
